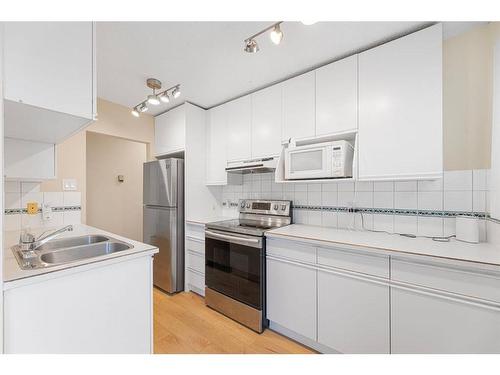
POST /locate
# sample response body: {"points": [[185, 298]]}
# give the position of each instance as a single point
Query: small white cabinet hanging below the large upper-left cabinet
{"points": [[29, 161]]}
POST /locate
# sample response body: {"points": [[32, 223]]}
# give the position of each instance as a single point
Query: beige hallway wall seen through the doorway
{"points": [[112, 205]]}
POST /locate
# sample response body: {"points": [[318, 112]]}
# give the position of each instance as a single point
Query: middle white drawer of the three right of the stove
{"points": [[376, 265]]}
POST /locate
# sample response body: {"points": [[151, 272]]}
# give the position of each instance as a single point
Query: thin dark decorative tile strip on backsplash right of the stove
{"points": [[395, 211]]}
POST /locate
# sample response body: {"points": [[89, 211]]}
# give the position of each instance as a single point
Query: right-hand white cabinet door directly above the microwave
{"points": [[337, 96]]}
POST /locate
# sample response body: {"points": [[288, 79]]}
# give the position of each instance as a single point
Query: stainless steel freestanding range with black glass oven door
{"points": [[235, 264]]}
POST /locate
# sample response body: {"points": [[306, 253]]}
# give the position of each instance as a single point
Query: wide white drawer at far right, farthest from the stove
{"points": [[449, 279]]}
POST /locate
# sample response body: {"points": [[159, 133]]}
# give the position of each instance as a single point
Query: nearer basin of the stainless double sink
{"points": [[83, 252]]}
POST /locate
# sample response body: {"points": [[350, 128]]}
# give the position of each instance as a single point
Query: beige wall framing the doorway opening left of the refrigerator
{"points": [[113, 119]]}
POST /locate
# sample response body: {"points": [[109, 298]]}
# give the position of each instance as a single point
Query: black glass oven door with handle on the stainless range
{"points": [[234, 266]]}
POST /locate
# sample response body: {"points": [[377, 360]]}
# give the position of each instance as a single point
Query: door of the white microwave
{"points": [[308, 162]]}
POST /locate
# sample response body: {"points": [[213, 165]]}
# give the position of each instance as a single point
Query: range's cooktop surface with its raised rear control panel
{"points": [[256, 217]]}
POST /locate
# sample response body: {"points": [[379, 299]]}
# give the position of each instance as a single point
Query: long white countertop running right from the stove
{"points": [[481, 254]]}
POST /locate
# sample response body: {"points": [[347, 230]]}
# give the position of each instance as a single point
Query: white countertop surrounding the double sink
{"points": [[12, 271]]}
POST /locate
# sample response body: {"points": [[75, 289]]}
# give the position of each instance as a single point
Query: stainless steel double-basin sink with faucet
{"points": [[68, 250]]}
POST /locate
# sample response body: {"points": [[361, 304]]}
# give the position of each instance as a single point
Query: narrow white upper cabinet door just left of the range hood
{"points": [[216, 147]]}
